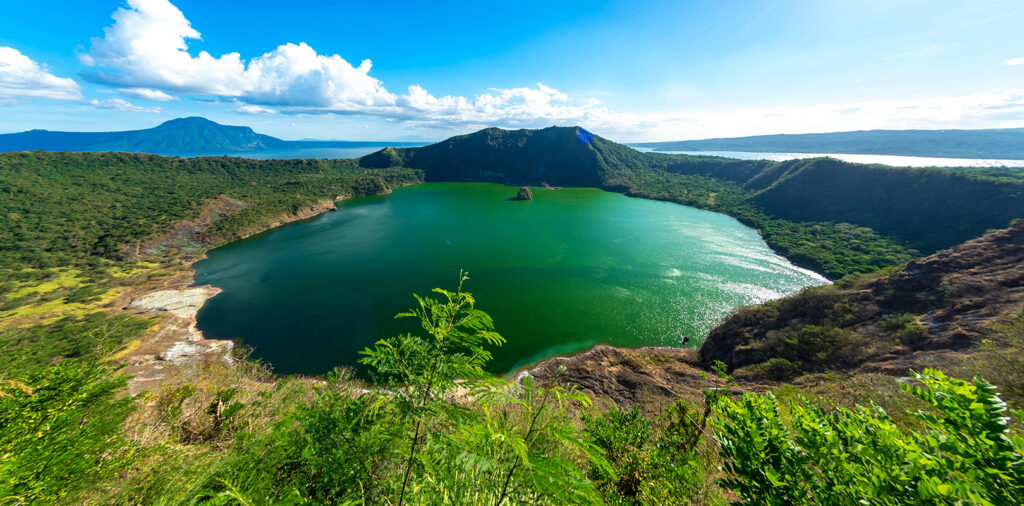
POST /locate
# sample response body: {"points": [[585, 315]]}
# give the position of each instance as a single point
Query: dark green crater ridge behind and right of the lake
{"points": [[832, 217]]}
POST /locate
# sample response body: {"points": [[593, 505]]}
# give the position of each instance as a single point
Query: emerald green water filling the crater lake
{"points": [[569, 270]]}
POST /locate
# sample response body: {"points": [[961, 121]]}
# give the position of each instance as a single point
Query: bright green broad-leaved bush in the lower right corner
{"points": [[965, 454]]}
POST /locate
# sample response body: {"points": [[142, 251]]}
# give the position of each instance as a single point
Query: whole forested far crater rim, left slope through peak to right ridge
{"points": [[838, 219]]}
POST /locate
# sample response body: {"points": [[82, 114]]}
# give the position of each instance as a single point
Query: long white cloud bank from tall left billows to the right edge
{"points": [[147, 49]]}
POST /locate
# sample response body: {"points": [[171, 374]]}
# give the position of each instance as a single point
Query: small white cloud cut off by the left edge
{"points": [[23, 78]]}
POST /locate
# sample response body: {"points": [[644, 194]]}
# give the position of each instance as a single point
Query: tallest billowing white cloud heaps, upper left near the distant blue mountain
{"points": [[147, 48]]}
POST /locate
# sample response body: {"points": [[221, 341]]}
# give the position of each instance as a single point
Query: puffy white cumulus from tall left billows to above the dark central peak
{"points": [[147, 48]]}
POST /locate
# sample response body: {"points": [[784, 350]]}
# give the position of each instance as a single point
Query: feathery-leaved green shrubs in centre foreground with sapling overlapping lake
{"points": [[414, 441]]}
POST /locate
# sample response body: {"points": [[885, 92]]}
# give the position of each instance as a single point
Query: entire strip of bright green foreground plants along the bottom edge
{"points": [[438, 431]]}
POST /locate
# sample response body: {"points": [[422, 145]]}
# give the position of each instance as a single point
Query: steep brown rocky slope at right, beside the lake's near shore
{"points": [[944, 302]]}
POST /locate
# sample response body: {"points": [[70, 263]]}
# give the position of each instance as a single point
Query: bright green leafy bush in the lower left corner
{"points": [[60, 432]]}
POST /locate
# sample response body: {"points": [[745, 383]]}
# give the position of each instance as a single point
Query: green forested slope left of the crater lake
{"points": [[63, 209]]}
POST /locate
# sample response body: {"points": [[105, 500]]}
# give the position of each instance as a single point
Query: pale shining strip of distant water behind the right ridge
{"points": [[895, 161]]}
